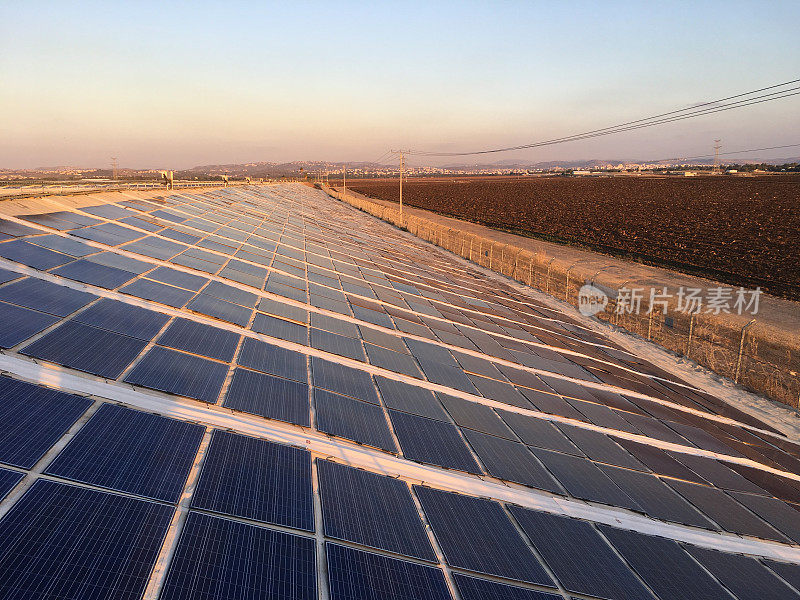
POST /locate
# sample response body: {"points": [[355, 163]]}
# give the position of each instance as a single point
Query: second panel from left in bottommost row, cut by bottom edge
{"points": [[221, 558]]}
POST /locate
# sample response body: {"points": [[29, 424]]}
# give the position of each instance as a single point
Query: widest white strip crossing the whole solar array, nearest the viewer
{"points": [[376, 461]]}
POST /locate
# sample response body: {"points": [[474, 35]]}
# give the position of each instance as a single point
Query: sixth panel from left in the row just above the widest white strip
{"points": [[432, 442]]}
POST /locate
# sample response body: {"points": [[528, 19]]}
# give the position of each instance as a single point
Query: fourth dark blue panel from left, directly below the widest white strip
{"points": [[357, 506]]}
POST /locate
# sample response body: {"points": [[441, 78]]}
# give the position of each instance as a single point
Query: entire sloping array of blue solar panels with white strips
{"points": [[277, 310]]}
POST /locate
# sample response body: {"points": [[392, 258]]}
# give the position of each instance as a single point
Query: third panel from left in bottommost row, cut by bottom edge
{"points": [[358, 575]]}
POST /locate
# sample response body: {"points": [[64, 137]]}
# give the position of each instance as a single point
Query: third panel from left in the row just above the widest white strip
{"points": [[178, 373]]}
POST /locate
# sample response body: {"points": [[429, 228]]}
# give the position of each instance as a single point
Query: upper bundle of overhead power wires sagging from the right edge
{"points": [[746, 99]]}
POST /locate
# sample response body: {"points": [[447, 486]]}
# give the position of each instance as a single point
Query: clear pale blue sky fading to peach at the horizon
{"points": [[174, 85]]}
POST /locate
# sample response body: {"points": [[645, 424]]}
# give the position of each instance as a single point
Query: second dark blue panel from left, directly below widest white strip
{"points": [[131, 451]]}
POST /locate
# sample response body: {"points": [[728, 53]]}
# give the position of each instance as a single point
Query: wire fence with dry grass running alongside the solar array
{"points": [[747, 354]]}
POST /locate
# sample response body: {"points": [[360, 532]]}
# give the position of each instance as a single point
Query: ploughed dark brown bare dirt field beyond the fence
{"points": [[737, 230]]}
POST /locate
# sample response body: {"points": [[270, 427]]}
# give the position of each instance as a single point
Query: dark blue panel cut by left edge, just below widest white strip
{"points": [[34, 418]]}
